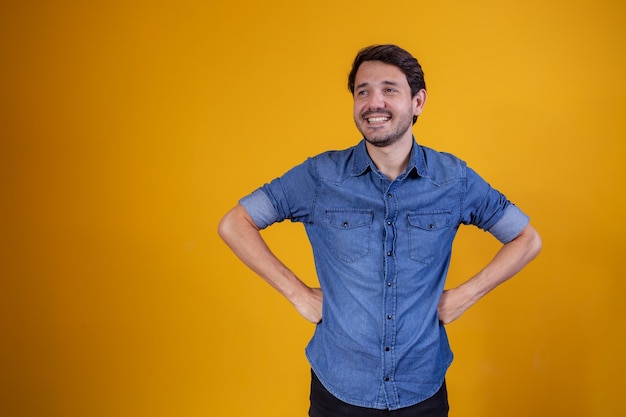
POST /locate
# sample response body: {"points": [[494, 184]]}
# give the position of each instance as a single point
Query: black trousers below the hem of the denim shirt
{"points": [[324, 404]]}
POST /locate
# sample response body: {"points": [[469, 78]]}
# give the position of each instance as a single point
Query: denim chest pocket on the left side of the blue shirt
{"points": [[349, 232]]}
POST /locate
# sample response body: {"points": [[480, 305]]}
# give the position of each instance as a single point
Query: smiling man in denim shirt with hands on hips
{"points": [[381, 217]]}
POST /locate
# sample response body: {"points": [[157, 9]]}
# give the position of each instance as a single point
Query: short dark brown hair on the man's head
{"points": [[393, 55]]}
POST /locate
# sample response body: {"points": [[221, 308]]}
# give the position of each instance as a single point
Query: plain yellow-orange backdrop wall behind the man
{"points": [[128, 128]]}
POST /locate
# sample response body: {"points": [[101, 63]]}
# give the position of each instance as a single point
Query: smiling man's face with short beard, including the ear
{"points": [[383, 106]]}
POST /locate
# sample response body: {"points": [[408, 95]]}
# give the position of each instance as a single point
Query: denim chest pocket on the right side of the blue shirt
{"points": [[426, 230]]}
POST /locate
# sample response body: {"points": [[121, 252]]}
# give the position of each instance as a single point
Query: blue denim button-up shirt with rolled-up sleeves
{"points": [[382, 250]]}
